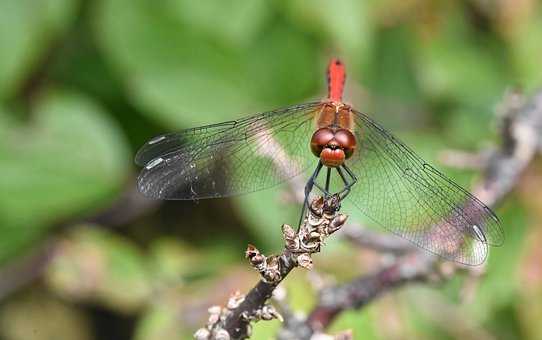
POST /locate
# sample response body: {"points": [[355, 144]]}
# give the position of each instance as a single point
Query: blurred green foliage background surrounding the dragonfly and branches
{"points": [[84, 83]]}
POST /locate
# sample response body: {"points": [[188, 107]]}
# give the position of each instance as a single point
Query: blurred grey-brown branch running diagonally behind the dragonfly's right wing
{"points": [[522, 136]]}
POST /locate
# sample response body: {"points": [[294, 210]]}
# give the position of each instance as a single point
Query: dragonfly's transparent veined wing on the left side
{"points": [[230, 158]]}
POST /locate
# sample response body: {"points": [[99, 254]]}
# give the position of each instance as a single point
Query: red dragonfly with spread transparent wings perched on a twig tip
{"points": [[379, 174]]}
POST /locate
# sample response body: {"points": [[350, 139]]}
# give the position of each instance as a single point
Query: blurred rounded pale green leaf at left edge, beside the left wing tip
{"points": [[68, 159]]}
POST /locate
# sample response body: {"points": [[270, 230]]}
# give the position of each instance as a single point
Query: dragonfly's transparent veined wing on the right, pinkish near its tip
{"points": [[402, 193]]}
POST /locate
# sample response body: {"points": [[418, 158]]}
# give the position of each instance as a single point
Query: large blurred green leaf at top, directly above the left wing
{"points": [[181, 74]]}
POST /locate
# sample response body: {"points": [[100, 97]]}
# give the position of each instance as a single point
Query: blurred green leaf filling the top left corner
{"points": [[27, 29]]}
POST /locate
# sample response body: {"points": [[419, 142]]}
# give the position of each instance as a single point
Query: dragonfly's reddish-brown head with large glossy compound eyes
{"points": [[333, 145]]}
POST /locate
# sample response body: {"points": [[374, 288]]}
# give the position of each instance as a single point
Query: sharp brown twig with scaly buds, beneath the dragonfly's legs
{"points": [[233, 320]]}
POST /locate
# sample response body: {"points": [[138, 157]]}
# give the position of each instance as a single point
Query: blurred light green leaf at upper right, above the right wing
{"points": [[456, 63]]}
